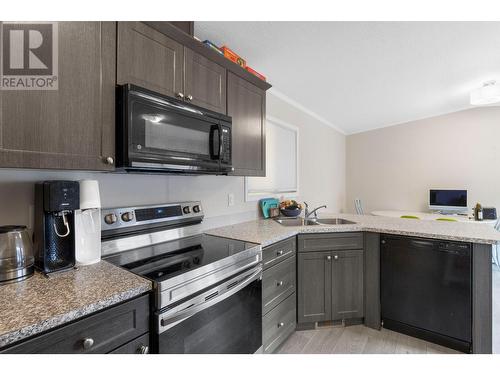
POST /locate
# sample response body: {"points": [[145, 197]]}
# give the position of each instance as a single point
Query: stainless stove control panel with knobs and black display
{"points": [[157, 215]]}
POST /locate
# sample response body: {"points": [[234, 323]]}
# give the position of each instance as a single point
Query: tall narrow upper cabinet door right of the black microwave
{"points": [[246, 104]]}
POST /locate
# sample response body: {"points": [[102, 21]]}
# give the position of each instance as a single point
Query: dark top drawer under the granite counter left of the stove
{"points": [[108, 330]]}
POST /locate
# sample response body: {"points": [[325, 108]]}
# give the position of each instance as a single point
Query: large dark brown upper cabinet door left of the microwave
{"points": [[72, 127]]}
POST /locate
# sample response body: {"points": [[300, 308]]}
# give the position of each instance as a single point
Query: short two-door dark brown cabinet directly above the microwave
{"points": [[156, 62]]}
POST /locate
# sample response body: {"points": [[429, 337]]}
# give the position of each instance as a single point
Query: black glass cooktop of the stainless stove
{"points": [[168, 259]]}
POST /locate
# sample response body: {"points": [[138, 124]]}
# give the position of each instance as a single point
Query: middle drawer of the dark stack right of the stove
{"points": [[278, 282]]}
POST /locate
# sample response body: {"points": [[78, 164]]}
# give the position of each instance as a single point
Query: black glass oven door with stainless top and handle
{"points": [[222, 320]]}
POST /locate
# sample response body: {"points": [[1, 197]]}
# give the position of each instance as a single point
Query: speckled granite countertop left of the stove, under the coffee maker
{"points": [[41, 303]]}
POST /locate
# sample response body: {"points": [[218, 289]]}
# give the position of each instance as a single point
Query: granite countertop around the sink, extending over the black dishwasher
{"points": [[266, 231]]}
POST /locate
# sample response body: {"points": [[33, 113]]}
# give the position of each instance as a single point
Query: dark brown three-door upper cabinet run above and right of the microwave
{"points": [[159, 57]]}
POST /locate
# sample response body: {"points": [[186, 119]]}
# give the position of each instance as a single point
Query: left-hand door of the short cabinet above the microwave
{"points": [[149, 59]]}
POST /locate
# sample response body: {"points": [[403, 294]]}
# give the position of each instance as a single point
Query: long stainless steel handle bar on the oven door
{"points": [[166, 320]]}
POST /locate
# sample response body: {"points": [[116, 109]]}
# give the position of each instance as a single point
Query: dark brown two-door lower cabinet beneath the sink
{"points": [[330, 283]]}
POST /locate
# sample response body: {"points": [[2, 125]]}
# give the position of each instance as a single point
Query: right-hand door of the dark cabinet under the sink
{"points": [[347, 284]]}
